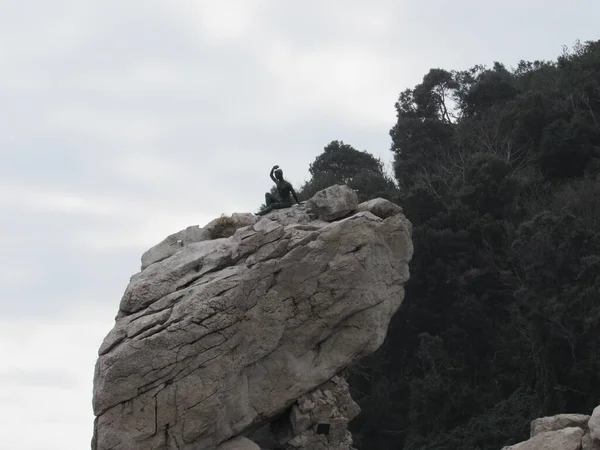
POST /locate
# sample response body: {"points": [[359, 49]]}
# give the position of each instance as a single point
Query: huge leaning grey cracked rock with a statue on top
{"points": [[228, 334]]}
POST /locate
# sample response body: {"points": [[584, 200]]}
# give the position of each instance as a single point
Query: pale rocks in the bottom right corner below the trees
{"points": [[562, 432]]}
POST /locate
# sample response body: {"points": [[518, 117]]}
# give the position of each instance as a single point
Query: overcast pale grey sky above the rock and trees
{"points": [[124, 121]]}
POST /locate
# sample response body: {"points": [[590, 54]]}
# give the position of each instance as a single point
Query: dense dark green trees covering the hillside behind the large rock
{"points": [[498, 170]]}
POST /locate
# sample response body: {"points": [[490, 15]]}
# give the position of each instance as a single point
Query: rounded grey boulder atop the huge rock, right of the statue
{"points": [[332, 203]]}
